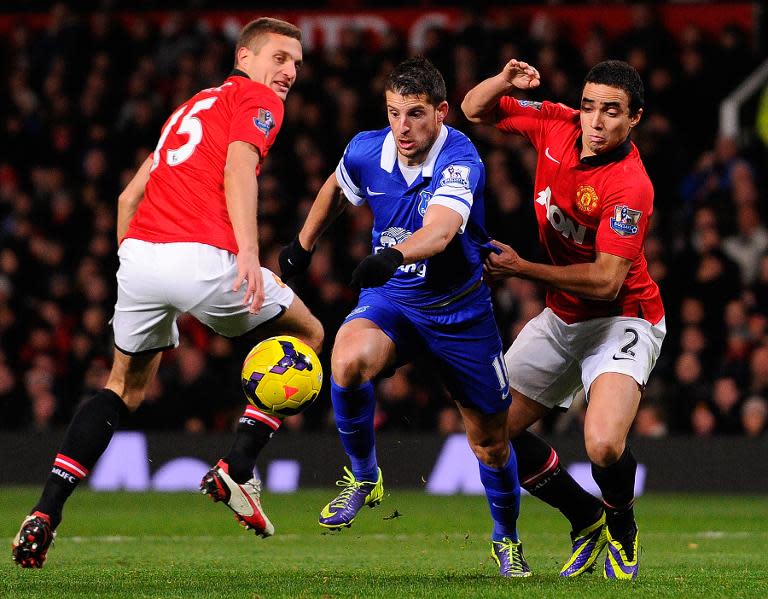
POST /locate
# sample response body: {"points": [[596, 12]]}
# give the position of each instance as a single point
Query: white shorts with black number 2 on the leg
{"points": [[551, 361]]}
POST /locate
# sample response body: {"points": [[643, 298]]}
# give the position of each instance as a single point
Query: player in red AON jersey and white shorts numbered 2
{"points": [[603, 325]]}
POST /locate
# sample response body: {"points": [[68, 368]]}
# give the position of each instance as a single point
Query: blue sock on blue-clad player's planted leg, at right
{"points": [[503, 492]]}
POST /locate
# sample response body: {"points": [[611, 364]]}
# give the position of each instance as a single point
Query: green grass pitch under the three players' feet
{"points": [[182, 545]]}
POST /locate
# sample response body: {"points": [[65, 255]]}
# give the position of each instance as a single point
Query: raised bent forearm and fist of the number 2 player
{"points": [[479, 105]]}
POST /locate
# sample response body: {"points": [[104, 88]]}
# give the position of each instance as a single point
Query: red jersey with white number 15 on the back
{"points": [[184, 198]]}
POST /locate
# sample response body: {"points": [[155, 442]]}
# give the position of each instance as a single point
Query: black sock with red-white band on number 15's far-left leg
{"points": [[87, 437]]}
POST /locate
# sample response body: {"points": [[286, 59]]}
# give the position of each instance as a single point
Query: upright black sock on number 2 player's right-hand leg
{"points": [[617, 484]]}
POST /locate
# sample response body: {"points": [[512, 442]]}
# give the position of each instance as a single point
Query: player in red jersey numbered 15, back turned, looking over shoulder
{"points": [[188, 239]]}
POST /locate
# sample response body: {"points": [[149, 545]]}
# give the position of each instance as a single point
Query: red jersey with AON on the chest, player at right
{"points": [[597, 204]]}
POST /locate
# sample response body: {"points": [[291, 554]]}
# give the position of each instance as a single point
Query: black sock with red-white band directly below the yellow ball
{"points": [[254, 430]]}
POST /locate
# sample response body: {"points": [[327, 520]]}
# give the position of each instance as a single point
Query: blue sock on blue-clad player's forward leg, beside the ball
{"points": [[354, 409]]}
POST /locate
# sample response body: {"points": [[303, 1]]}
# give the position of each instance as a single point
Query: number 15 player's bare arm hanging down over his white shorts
{"points": [[241, 192]]}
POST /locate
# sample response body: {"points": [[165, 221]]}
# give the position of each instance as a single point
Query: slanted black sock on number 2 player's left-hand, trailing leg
{"points": [[540, 473]]}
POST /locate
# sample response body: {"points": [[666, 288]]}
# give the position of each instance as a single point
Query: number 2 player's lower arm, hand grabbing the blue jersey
{"points": [[598, 280]]}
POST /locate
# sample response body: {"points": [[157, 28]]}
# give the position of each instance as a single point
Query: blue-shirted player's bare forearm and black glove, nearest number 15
{"points": [[328, 205]]}
